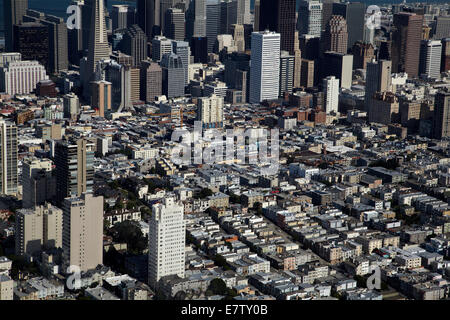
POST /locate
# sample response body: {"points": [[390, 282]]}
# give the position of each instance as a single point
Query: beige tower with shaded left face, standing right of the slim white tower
{"points": [[378, 78]]}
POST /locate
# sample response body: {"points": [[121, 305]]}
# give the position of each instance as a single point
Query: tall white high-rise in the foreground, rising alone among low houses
{"points": [[167, 238]]}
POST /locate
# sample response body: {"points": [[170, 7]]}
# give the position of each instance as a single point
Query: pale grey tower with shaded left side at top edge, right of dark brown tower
{"points": [[310, 17]]}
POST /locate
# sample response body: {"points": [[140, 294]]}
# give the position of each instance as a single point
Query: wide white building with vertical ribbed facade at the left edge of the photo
{"points": [[21, 77]]}
